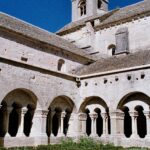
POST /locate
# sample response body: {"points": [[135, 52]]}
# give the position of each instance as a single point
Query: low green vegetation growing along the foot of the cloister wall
{"points": [[83, 144]]}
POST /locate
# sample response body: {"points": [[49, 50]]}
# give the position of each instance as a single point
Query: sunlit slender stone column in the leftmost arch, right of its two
{"points": [[21, 126]]}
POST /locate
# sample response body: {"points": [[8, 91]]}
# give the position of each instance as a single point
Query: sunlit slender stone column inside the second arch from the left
{"points": [[61, 125]]}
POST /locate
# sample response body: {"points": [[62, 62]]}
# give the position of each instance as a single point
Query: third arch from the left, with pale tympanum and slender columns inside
{"points": [[94, 115]]}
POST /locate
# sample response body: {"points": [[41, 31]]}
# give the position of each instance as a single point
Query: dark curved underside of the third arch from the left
{"points": [[92, 100]]}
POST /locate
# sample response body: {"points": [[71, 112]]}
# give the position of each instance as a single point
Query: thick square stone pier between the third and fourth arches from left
{"points": [[117, 123]]}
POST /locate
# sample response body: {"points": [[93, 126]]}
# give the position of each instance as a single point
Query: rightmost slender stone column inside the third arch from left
{"points": [[105, 124]]}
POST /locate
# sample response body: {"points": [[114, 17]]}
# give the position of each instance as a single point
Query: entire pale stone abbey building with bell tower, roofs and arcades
{"points": [[90, 79]]}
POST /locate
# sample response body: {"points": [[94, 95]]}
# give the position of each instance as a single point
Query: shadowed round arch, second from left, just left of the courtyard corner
{"points": [[60, 108]]}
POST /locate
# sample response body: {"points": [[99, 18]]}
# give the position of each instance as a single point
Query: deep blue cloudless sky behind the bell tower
{"points": [[48, 14]]}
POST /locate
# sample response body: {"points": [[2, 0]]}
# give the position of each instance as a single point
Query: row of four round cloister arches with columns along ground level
{"points": [[20, 116]]}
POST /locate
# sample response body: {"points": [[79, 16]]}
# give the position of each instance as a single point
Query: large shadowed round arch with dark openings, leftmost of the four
{"points": [[12, 105]]}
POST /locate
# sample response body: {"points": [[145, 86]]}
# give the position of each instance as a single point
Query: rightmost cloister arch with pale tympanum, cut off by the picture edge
{"points": [[136, 108]]}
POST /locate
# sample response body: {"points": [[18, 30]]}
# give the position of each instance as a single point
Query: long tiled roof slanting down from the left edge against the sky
{"points": [[20, 27]]}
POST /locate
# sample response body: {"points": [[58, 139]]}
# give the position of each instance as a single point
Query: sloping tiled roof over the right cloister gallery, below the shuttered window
{"points": [[117, 62]]}
